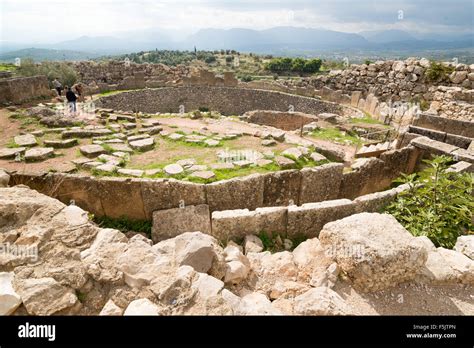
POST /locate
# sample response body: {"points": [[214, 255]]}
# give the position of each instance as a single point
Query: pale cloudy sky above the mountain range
{"points": [[57, 20]]}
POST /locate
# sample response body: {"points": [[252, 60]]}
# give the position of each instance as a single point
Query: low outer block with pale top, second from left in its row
{"points": [[236, 224]]}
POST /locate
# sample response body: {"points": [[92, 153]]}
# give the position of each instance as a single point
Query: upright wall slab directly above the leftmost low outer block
{"points": [[169, 193]]}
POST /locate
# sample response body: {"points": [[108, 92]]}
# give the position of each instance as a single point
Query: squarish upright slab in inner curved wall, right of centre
{"points": [[320, 183]]}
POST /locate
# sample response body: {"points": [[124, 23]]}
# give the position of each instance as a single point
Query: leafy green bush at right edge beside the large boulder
{"points": [[438, 204]]}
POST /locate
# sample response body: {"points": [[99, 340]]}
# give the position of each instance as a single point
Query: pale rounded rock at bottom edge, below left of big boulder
{"points": [[321, 301]]}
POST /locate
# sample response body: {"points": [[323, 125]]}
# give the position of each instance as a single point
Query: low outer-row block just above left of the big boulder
{"points": [[310, 218]]}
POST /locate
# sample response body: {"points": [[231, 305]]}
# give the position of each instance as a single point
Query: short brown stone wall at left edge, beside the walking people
{"points": [[22, 89]]}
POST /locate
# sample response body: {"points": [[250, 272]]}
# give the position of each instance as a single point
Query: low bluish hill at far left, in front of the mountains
{"points": [[42, 54]]}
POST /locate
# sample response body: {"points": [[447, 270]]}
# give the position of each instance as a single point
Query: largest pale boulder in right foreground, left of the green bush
{"points": [[373, 250]]}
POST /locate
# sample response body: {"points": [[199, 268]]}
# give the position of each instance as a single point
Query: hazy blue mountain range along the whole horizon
{"points": [[272, 41]]}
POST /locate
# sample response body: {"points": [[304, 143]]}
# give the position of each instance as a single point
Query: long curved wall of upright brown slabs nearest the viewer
{"points": [[137, 199]]}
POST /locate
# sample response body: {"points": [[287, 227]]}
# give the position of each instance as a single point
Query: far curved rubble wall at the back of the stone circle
{"points": [[226, 100]]}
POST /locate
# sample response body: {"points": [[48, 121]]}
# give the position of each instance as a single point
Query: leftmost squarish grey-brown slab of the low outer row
{"points": [[173, 222]]}
